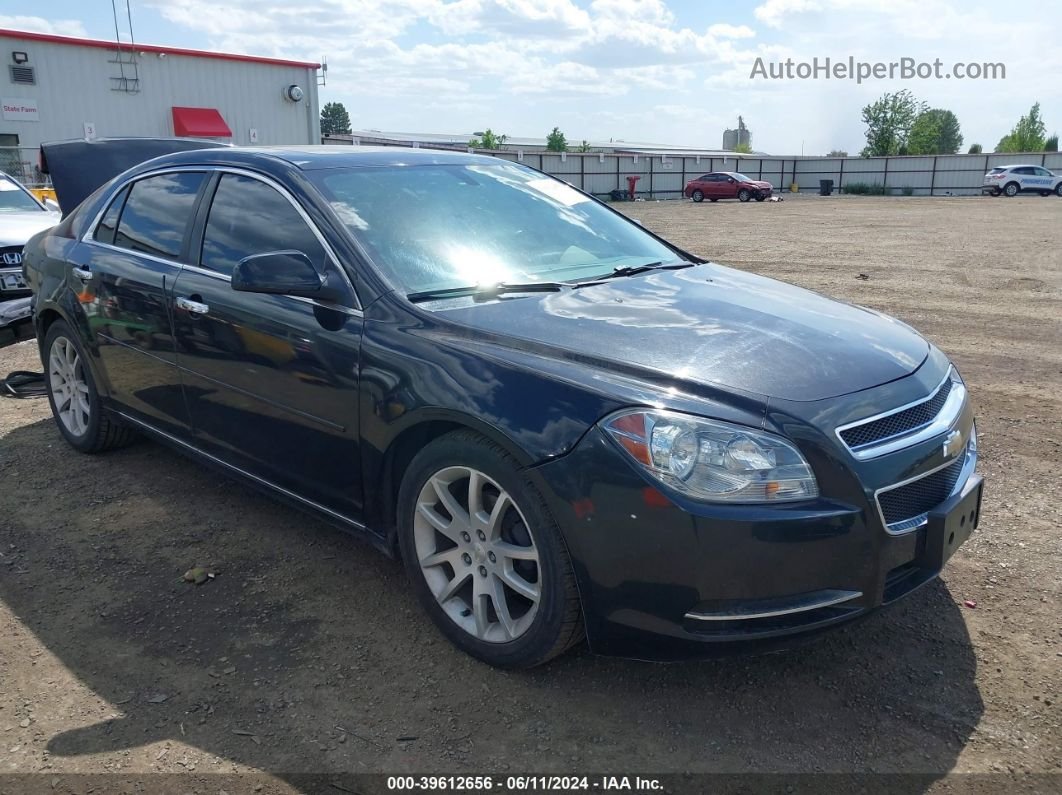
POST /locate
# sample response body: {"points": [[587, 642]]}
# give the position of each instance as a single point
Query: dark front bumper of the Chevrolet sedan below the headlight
{"points": [[665, 579]]}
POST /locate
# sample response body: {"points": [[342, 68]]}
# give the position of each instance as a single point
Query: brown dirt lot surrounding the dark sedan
{"points": [[307, 653]]}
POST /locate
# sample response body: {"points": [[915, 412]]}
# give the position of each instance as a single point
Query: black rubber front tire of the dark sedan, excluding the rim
{"points": [[558, 624]]}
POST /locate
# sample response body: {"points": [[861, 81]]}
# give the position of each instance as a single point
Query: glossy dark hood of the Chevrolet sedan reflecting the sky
{"points": [[714, 326]]}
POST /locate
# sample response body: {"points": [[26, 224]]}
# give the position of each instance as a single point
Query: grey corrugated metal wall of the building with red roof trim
{"points": [[75, 87]]}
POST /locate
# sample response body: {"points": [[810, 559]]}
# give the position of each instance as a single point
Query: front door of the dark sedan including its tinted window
{"points": [[271, 381]]}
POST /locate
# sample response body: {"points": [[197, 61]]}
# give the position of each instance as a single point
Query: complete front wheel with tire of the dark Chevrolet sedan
{"points": [[485, 556]]}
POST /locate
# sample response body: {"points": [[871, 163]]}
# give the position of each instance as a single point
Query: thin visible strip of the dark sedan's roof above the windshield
{"points": [[312, 159]]}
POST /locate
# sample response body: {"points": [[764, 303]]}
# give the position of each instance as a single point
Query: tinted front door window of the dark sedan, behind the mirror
{"points": [[249, 217]]}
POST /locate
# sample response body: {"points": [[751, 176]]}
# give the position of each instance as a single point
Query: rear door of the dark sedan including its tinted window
{"points": [[127, 269]]}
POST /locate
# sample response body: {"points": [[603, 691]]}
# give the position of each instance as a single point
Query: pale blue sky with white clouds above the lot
{"points": [[662, 72]]}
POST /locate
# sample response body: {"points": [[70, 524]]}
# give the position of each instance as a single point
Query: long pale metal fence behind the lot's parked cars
{"points": [[663, 177]]}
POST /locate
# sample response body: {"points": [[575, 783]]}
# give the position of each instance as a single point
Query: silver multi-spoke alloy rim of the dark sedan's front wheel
{"points": [[477, 555]]}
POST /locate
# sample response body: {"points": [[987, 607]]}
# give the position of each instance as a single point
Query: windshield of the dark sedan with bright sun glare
{"points": [[442, 227]]}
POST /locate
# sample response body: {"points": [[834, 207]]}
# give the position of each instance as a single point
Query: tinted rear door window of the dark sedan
{"points": [[157, 214]]}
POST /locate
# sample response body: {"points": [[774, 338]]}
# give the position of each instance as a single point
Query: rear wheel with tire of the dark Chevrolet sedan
{"points": [[74, 397]]}
